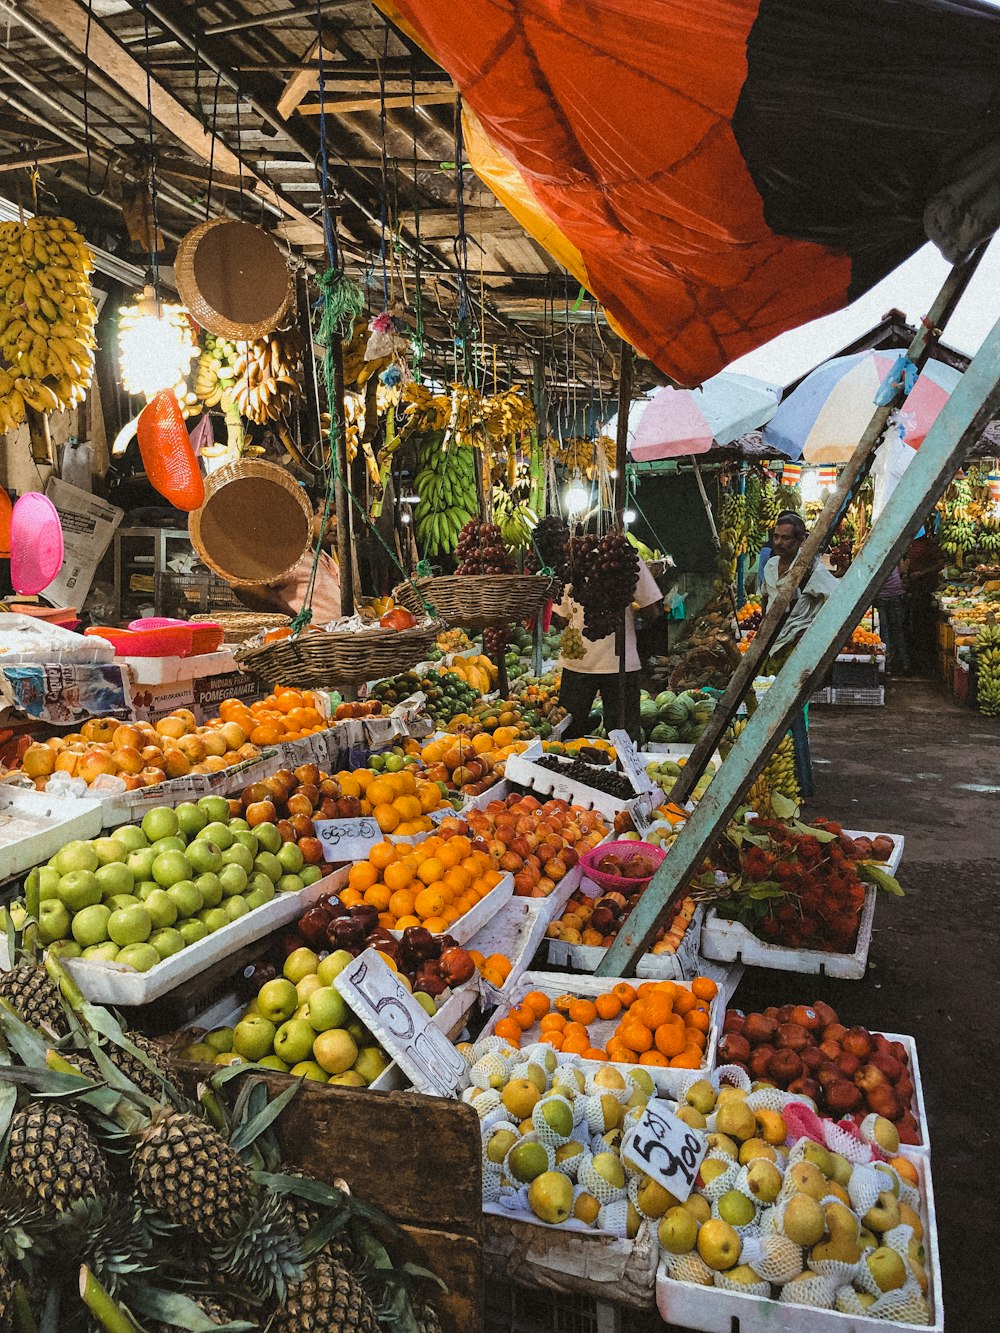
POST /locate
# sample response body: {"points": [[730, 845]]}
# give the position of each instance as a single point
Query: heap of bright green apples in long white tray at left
{"points": [[146, 892]]}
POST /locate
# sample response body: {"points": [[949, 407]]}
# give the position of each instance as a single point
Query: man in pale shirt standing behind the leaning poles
{"points": [[786, 542]]}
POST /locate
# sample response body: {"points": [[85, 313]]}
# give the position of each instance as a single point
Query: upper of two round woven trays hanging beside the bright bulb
{"points": [[234, 279]]}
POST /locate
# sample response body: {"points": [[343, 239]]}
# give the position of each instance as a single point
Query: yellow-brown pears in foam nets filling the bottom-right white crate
{"points": [[801, 1224]]}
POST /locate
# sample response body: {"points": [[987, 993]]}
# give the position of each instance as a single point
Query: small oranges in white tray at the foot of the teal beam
{"points": [[654, 1023]]}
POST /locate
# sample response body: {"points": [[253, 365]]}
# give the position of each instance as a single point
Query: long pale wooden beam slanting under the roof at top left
{"points": [[71, 19]]}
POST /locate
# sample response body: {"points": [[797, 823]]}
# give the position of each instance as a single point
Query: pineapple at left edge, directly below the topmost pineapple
{"points": [[54, 1159]]}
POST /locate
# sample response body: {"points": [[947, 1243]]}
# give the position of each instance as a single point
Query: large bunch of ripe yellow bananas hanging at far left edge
{"points": [[47, 318]]}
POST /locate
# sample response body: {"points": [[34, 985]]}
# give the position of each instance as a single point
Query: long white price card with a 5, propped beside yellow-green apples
{"points": [[405, 1030]]}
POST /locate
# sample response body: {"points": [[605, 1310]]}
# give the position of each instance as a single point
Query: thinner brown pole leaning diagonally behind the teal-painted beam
{"points": [[854, 474]]}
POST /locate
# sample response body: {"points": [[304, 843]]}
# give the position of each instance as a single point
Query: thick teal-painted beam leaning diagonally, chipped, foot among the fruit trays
{"points": [[961, 423]]}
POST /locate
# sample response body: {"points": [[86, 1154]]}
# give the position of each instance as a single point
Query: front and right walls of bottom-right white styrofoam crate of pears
{"points": [[715, 1311]]}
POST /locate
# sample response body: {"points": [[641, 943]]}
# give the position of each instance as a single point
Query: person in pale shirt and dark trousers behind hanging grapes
{"points": [[598, 670]]}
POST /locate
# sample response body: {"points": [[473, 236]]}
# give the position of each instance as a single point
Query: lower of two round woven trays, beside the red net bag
{"points": [[255, 525]]}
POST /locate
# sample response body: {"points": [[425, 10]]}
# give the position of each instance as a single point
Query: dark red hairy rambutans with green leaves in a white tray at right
{"points": [[795, 884]]}
